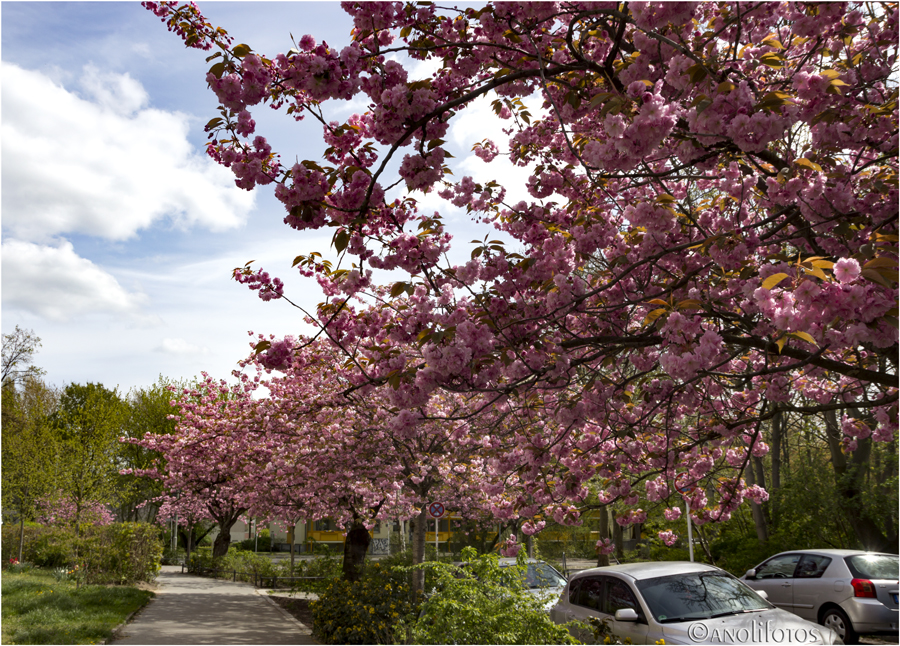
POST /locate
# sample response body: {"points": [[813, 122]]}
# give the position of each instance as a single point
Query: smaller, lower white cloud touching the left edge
{"points": [[54, 282]]}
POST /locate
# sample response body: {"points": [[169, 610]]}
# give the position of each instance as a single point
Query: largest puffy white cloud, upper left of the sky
{"points": [[105, 167]]}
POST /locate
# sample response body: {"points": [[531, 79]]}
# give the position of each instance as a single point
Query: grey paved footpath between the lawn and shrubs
{"points": [[197, 610]]}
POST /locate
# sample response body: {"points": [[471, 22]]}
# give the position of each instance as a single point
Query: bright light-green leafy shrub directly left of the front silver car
{"points": [[490, 606]]}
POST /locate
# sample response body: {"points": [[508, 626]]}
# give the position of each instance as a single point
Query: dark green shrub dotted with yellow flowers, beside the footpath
{"points": [[369, 611]]}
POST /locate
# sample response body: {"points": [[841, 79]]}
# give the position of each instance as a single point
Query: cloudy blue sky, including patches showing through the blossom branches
{"points": [[119, 234]]}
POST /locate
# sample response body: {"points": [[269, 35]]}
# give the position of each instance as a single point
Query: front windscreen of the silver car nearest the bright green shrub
{"points": [[685, 597]]}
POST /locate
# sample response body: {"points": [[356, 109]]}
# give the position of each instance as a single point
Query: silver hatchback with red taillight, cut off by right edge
{"points": [[850, 591]]}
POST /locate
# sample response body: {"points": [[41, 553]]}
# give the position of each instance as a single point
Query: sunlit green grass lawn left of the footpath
{"points": [[37, 609]]}
